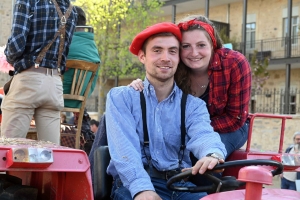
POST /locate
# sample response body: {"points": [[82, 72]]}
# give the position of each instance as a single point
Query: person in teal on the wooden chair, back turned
{"points": [[83, 47]]}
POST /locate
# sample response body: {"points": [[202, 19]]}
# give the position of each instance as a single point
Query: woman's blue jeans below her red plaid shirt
{"points": [[236, 139]]}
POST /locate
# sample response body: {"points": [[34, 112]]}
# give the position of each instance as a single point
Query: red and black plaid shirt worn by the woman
{"points": [[229, 90]]}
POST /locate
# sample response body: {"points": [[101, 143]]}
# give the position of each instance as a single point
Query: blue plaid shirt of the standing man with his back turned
{"points": [[34, 26]]}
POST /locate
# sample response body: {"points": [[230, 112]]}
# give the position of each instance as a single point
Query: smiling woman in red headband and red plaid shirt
{"points": [[219, 76]]}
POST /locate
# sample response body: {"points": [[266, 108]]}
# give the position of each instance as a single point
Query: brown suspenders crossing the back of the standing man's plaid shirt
{"points": [[61, 31]]}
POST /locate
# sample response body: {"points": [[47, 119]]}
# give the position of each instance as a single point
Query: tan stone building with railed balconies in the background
{"points": [[267, 23]]}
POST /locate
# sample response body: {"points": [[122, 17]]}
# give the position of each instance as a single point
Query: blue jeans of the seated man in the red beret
{"points": [[119, 192]]}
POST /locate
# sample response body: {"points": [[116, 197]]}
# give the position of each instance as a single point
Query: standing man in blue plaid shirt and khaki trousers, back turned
{"points": [[36, 87]]}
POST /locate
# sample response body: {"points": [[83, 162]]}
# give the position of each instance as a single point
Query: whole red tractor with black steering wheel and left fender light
{"points": [[41, 170]]}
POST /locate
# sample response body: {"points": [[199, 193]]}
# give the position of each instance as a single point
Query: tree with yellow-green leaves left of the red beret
{"points": [[115, 24]]}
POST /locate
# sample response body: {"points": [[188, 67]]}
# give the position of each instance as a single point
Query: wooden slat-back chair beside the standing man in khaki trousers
{"points": [[78, 92]]}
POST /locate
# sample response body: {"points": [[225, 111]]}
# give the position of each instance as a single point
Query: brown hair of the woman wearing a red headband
{"points": [[182, 75]]}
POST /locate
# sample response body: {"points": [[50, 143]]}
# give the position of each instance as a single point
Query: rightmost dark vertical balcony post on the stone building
{"points": [[288, 65]]}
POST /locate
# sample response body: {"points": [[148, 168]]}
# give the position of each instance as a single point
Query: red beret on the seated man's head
{"points": [[165, 27]]}
